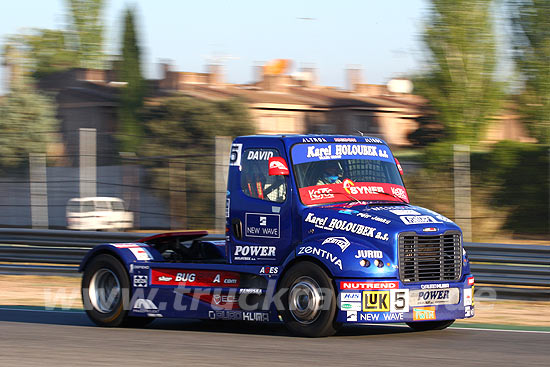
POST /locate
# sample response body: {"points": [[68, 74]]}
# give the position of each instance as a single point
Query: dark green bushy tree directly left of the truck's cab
{"points": [[184, 128]]}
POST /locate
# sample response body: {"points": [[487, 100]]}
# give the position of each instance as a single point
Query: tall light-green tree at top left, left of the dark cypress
{"points": [[86, 30]]}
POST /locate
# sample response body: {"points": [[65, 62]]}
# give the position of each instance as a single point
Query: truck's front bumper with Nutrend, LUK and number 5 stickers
{"points": [[390, 301]]}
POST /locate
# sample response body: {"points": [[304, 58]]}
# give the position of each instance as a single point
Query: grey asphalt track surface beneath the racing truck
{"points": [[41, 338]]}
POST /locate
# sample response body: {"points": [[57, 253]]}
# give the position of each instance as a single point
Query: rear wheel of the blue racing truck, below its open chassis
{"points": [[105, 291]]}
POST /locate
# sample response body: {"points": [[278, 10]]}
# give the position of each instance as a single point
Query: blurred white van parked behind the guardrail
{"points": [[98, 213]]}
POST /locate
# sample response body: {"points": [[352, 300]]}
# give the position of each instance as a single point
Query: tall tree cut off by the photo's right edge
{"points": [[530, 21]]}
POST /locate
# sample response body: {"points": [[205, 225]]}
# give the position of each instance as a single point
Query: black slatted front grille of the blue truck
{"points": [[427, 258]]}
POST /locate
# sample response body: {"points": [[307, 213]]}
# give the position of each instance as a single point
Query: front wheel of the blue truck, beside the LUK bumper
{"points": [[306, 310]]}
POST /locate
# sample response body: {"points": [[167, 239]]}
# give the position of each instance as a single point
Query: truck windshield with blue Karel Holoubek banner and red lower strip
{"points": [[333, 172]]}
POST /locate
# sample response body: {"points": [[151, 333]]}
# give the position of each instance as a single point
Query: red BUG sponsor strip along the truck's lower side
{"points": [[195, 278]]}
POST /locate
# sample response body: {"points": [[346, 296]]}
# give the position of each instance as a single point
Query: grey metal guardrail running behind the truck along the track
{"points": [[521, 271]]}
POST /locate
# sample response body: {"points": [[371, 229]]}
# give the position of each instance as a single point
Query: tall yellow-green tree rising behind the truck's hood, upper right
{"points": [[460, 83]]}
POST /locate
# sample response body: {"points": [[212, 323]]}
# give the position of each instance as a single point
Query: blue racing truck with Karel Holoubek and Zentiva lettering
{"points": [[319, 233]]}
